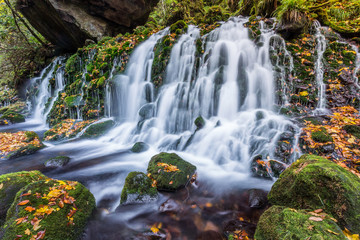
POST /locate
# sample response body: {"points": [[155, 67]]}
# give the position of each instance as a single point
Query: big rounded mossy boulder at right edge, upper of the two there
{"points": [[314, 182]]}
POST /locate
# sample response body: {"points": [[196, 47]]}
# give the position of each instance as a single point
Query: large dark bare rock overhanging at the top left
{"points": [[67, 24]]}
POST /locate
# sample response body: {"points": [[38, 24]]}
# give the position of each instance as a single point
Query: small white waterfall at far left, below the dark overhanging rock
{"points": [[46, 95]]}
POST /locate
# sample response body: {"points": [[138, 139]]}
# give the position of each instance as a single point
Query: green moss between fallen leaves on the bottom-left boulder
{"points": [[56, 225]]}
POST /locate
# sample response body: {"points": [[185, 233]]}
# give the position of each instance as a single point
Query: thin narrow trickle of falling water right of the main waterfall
{"points": [[319, 66]]}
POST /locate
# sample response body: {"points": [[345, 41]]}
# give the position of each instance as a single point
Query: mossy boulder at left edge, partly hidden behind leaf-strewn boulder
{"points": [[10, 184]]}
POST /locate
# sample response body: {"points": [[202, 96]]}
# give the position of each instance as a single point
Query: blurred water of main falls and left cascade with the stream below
{"points": [[233, 89]]}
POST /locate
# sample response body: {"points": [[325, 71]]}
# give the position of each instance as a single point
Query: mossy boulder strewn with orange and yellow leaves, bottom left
{"points": [[55, 209]]}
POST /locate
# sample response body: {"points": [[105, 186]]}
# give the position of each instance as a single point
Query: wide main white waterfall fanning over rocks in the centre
{"points": [[233, 90]]}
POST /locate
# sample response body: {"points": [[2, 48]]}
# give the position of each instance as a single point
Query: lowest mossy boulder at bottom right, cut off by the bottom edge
{"points": [[280, 223]]}
